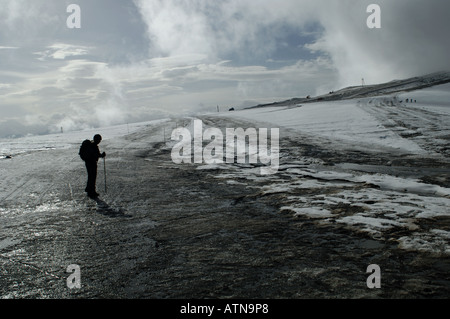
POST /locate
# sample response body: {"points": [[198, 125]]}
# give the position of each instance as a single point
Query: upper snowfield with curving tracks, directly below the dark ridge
{"points": [[374, 121]]}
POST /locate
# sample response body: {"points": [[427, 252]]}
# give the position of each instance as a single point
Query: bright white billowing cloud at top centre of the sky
{"points": [[218, 28]]}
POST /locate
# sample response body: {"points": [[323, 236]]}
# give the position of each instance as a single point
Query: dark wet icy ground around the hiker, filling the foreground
{"points": [[164, 230]]}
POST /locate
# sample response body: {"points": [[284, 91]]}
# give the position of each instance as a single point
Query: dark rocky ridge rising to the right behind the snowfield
{"points": [[395, 86]]}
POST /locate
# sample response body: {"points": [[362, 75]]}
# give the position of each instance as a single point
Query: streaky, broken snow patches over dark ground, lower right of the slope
{"points": [[383, 206]]}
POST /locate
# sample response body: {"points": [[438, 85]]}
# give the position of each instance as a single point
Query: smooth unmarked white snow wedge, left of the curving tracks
{"points": [[342, 121]]}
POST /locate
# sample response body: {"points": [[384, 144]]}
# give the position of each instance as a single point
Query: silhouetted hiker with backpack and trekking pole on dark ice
{"points": [[90, 153]]}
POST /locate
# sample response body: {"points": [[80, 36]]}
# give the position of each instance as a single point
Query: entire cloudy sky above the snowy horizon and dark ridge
{"points": [[145, 59]]}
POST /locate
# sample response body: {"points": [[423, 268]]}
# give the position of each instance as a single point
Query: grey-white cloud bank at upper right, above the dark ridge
{"points": [[412, 40]]}
